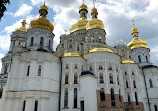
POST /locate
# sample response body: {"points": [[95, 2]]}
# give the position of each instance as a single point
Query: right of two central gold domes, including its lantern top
{"points": [[95, 22]]}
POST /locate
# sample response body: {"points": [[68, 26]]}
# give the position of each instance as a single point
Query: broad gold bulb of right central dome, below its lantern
{"points": [[94, 23]]}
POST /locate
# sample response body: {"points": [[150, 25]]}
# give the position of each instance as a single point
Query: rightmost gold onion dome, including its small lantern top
{"points": [[136, 42]]}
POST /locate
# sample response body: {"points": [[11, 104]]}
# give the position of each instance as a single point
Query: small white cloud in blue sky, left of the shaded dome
{"points": [[23, 10]]}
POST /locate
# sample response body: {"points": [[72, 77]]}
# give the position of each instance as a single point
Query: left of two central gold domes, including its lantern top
{"points": [[81, 24]]}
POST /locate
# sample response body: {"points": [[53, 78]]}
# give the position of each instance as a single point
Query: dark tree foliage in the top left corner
{"points": [[3, 8]]}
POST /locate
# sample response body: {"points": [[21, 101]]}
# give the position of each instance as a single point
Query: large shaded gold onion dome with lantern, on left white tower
{"points": [[42, 22]]}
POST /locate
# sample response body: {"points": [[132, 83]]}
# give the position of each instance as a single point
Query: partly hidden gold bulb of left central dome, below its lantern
{"points": [[80, 25]]}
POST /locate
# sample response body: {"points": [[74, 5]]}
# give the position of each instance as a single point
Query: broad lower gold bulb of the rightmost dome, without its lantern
{"points": [[137, 43]]}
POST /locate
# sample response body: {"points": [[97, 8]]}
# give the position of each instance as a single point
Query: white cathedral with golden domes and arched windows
{"points": [[82, 74]]}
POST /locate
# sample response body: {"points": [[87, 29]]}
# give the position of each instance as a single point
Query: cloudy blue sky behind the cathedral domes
{"points": [[115, 14]]}
